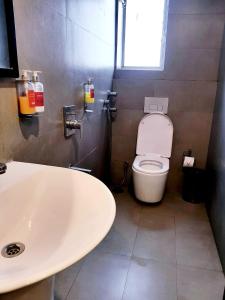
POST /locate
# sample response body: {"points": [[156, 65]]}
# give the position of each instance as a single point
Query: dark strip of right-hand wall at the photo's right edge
{"points": [[216, 165]]}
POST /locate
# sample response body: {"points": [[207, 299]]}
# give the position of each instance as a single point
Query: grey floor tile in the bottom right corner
{"points": [[199, 284]]}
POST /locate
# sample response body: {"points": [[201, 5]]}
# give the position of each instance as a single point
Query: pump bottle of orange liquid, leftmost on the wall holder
{"points": [[26, 96]]}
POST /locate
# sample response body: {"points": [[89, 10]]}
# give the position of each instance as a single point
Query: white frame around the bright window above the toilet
{"points": [[120, 64]]}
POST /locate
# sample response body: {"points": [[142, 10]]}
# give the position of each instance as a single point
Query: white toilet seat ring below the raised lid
{"points": [[151, 164]]}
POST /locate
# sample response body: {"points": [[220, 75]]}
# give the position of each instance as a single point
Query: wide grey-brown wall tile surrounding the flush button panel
{"points": [[184, 96]]}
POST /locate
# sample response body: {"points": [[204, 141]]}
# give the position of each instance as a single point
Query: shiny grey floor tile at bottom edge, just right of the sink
{"points": [[101, 277]]}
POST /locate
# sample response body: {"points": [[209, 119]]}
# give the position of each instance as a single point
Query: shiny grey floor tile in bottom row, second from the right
{"points": [[150, 280]]}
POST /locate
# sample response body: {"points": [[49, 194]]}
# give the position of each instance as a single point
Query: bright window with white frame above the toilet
{"points": [[141, 35]]}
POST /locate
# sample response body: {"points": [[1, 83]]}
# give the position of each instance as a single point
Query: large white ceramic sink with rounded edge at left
{"points": [[60, 215]]}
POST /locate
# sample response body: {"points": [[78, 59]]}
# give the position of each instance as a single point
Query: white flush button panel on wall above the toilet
{"points": [[155, 104]]}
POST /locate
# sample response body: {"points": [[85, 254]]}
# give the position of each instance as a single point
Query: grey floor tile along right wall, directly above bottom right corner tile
{"points": [[197, 250]]}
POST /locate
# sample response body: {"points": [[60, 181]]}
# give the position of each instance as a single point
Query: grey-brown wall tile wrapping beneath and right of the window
{"points": [[180, 64]]}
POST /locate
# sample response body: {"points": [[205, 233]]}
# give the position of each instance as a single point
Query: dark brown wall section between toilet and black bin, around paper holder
{"points": [[191, 131]]}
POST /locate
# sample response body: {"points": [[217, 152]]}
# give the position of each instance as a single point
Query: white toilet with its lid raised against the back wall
{"points": [[153, 150]]}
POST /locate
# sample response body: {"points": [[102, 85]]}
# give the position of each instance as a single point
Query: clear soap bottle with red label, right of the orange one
{"points": [[39, 92]]}
